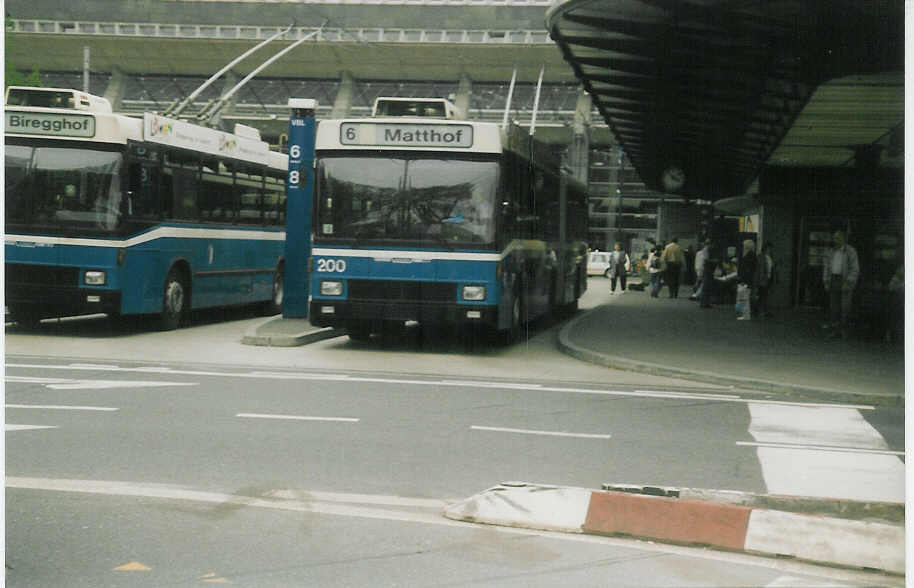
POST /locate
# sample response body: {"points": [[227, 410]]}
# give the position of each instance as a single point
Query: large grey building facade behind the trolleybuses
{"points": [[145, 55]]}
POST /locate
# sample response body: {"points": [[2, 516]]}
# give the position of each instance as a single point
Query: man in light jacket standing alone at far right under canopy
{"points": [[839, 275]]}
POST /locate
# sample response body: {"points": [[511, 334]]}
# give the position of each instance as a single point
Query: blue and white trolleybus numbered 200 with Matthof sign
{"points": [[441, 221]]}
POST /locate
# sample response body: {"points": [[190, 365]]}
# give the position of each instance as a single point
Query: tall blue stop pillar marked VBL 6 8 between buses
{"points": [[299, 198]]}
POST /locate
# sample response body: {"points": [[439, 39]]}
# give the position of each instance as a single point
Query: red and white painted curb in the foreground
{"points": [[813, 538]]}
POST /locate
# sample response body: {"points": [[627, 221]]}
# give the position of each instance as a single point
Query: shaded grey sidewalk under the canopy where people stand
{"points": [[787, 354]]}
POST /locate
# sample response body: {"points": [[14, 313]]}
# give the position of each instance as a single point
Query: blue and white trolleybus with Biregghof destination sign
{"points": [[107, 213]]}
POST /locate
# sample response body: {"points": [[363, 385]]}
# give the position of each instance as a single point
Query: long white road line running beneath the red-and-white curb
{"points": [[432, 517]]}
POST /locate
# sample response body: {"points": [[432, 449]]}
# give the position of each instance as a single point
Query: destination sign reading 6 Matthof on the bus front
{"points": [[406, 135]]}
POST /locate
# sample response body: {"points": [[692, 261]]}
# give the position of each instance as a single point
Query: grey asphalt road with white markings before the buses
{"points": [[329, 465]]}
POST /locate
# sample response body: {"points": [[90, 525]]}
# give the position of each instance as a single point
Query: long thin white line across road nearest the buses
{"points": [[508, 386]]}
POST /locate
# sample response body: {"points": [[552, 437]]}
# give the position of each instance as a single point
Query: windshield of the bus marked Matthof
{"points": [[425, 198]]}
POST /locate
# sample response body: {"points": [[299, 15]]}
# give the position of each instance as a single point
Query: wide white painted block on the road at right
{"points": [[808, 470]]}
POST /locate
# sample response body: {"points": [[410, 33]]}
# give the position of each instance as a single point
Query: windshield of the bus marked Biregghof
{"points": [[63, 187]]}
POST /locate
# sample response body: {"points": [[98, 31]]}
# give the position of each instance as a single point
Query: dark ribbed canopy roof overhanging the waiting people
{"points": [[712, 87]]}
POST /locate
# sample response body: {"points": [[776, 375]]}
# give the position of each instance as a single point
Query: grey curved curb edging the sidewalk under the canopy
{"points": [[615, 362]]}
